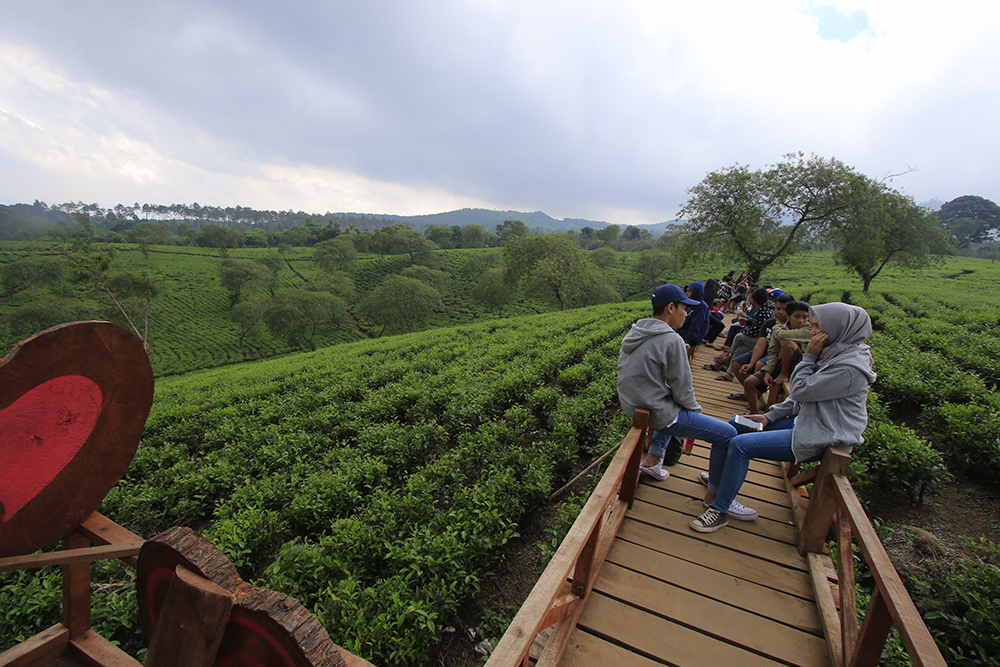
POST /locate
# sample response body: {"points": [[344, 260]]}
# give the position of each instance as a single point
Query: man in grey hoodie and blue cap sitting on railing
{"points": [[654, 373]]}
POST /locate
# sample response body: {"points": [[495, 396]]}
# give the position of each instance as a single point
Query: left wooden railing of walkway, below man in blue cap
{"points": [[559, 595]]}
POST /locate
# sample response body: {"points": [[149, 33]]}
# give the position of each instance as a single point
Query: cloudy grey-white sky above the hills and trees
{"points": [[604, 110]]}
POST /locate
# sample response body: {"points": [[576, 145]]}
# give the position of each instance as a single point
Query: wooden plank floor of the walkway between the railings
{"points": [[670, 596]]}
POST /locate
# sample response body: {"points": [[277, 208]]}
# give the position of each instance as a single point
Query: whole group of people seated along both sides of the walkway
{"points": [[828, 369]]}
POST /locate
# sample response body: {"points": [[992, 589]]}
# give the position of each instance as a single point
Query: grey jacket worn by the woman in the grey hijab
{"points": [[830, 402]]}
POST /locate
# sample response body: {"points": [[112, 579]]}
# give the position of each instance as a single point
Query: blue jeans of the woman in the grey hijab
{"points": [[774, 443]]}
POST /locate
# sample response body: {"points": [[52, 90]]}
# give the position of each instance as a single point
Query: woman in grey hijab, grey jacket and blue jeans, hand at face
{"points": [[828, 407]]}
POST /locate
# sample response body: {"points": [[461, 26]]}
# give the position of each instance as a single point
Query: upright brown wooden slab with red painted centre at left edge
{"points": [[73, 402]]}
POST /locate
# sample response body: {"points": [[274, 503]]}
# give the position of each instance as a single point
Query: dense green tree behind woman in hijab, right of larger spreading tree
{"points": [[881, 227]]}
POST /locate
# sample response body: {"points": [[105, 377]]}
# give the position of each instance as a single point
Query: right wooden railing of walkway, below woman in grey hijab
{"points": [[834, 507]]}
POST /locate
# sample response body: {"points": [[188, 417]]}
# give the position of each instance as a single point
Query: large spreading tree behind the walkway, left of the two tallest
{"points": [[760, 217]]}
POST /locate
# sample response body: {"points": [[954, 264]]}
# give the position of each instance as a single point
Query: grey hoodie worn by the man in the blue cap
{"points": [[654, 373]]}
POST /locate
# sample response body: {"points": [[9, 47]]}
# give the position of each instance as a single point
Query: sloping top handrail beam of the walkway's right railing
{"points": [[915, 635]]}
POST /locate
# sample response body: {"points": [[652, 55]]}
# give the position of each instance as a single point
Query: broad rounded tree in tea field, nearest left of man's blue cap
{"points": [[553, 266]]}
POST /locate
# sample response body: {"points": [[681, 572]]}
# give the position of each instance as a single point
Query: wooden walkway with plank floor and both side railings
{"points": [[632, 584]]}
